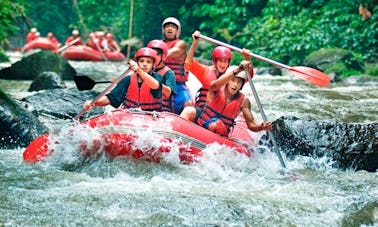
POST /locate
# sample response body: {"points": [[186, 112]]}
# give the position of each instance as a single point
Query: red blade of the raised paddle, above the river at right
{"points": [[311, 75]]}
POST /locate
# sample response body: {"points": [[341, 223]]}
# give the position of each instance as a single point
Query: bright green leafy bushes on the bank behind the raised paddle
{"points": [[288, 31]]}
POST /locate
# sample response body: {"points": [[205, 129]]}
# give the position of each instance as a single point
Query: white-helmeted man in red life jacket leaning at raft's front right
{"points": [[224, 102]]}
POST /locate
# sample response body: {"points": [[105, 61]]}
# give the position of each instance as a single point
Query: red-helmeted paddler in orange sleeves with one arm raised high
{"points": [[221, 58]]}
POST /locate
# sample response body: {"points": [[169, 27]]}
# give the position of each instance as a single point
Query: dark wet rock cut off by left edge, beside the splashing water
{"points": [[18, 126]]}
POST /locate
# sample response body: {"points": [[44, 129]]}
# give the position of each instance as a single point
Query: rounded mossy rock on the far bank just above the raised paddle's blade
{"points": [[336, 61]]}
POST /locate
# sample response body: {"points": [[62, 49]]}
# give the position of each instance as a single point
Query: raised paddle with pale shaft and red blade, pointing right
{"points": [[305, 73]]}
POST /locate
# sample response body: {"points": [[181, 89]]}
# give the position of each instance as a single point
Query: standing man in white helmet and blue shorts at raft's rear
{"points": [[171, 30]]}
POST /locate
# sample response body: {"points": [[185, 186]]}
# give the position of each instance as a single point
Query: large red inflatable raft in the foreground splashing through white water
{"points": [[120, 133]]}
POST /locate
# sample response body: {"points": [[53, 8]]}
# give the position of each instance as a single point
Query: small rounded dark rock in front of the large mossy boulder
{"points": [[47, 80]]}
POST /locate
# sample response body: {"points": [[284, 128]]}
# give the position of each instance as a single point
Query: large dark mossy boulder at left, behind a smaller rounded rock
{"points": [[28, 68]]}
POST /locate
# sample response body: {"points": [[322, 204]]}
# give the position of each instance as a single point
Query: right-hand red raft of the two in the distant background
{"points": [[85, 53]]}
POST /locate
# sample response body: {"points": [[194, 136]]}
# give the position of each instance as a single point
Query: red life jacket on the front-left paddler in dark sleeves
{"points": [[141, 97]]}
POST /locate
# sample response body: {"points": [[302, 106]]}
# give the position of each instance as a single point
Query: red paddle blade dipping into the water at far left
{"points": [[37, 150]]}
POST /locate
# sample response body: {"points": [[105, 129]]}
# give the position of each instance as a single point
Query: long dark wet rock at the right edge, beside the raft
{"points": [[350, 145]]}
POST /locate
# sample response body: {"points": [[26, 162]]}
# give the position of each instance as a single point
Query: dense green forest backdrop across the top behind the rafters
{"points": [[284, 30]]}
